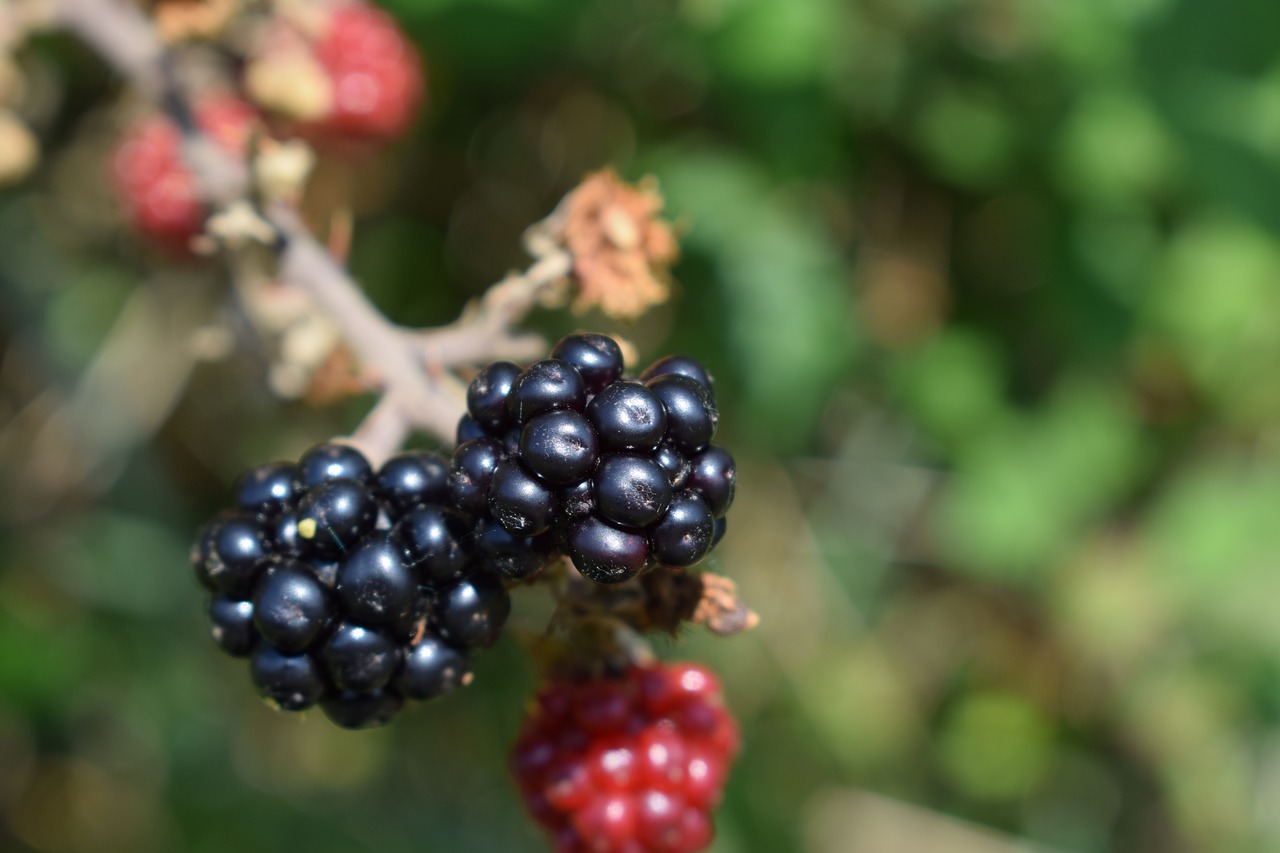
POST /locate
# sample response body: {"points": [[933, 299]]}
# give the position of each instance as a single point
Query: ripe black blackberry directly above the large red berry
{"points": [[568, 454]]}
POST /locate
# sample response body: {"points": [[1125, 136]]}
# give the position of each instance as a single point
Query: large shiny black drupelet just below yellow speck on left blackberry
{"points": [[291, 608]]}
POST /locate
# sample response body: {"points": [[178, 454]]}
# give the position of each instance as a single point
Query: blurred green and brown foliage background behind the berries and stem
{"points": [[991, 291]]}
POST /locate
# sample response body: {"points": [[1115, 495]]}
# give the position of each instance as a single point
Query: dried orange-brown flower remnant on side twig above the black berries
{"points": [[621, 248]]}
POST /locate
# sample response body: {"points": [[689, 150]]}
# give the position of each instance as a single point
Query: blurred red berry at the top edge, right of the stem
{"points": [[376, 75]]}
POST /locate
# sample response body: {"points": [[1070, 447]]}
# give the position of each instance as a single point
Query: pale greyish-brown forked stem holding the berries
{"points": [[414, 367]]}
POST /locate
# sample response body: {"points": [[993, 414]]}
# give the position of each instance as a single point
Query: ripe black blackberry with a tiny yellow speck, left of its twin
{"points": [[349, 589]]}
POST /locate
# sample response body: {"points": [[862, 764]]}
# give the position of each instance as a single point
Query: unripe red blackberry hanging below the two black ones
{"points": [[628, 764]]}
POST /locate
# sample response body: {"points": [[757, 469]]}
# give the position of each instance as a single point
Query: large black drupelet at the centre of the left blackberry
{"points": [[376, 586]]}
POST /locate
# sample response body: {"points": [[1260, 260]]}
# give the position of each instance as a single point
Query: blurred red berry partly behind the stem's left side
{"points": [[157, 190]]}
